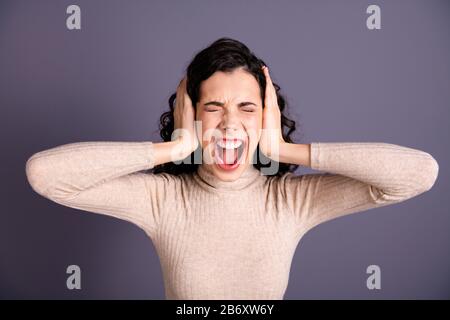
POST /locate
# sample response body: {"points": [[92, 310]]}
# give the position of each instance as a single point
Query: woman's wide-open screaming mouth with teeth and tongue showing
{"points": [[229, 153]]}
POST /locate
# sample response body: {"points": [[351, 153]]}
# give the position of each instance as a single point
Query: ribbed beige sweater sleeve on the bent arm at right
{"points": [[356, 176]]}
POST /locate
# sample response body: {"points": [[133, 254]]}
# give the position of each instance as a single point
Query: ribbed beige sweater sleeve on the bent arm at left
{"points": [[102, 177]]}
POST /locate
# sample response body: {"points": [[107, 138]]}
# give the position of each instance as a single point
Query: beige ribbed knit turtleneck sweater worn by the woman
{"points": [[228, 240]]}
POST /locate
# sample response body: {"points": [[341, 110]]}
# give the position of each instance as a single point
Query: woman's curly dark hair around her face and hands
{"points": [[224, 54]]}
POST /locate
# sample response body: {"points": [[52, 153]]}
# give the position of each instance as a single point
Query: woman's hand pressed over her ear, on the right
{"points": [[271, 139]]}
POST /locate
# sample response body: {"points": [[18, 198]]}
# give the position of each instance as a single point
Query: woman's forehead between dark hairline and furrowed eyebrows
{"points": [[237, 84]]}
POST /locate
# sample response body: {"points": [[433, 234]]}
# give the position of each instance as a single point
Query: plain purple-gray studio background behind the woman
{"points": [[111, 81]]}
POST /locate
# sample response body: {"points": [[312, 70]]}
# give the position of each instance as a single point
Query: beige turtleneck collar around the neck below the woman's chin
{"points": [[248, 176]]}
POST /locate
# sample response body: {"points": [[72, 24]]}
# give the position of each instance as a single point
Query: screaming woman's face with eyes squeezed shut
{"points": [[230, 111]]}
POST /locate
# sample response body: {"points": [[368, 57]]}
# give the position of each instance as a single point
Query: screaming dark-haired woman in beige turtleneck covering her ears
{"points": [[222, 229]]}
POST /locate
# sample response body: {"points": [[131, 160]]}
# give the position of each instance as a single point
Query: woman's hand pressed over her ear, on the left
{"points": [[184, 117]]}
